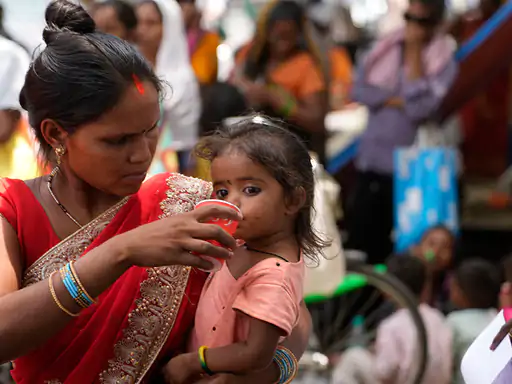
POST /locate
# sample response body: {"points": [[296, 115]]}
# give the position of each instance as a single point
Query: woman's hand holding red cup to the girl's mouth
{"points": [[178, 240]]}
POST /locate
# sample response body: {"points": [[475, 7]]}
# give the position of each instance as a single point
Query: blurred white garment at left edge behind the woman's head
{"points": [[14, 64]]}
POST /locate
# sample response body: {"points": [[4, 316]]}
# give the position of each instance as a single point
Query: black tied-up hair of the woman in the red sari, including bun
{"points": [[81, 74]]}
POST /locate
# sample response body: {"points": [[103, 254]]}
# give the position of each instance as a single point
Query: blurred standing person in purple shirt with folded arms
{"points": [[402, 81]]}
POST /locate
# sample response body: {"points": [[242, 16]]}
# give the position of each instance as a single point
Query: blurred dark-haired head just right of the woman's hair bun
{"points": [[116, 17]]}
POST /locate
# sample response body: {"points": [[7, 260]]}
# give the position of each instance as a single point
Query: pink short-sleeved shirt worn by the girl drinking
{"points": [[270, 291]]}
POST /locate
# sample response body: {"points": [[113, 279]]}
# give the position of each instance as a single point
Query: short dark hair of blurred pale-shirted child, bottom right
{"points": [[480, 282]]}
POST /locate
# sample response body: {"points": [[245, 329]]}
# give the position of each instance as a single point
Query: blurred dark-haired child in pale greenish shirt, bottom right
{"points": [[474, 290]]}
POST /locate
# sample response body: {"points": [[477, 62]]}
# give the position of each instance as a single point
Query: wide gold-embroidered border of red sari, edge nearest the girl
{"points": [[151, 322]]}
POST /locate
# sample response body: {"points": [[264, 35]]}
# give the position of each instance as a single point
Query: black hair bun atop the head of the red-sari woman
{"points": [[64, 15]]}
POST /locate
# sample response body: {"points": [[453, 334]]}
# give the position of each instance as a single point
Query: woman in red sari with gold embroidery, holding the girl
{"points": [[97, 273]]}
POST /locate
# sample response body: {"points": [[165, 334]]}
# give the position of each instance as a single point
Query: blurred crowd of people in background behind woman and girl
{"points": [[292, 70]]}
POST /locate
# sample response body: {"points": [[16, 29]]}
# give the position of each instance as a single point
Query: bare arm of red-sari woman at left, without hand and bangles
{"points": [[29, 316]]}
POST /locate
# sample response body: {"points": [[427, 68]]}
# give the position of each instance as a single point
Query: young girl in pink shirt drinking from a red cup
{"points": [[252, 303]]}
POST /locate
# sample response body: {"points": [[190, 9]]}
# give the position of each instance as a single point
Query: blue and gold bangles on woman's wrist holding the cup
{"points": [[73, 286]]}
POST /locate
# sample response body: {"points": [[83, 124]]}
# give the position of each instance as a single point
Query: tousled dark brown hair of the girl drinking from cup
{"points": [[282, 153]]}
